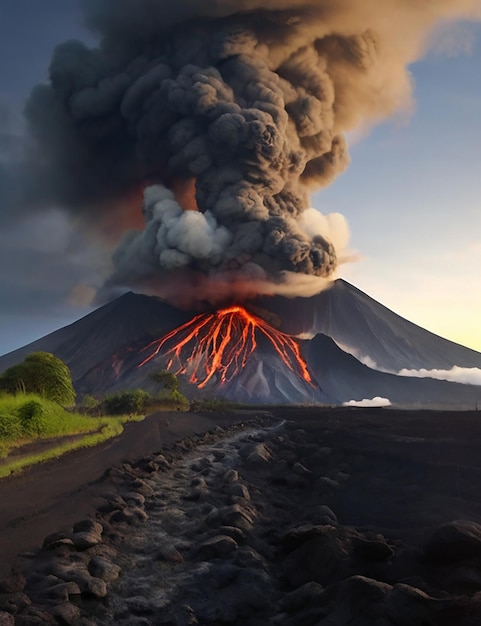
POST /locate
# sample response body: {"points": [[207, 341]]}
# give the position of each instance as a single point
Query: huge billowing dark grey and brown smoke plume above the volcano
{"points": [[229, 113]]}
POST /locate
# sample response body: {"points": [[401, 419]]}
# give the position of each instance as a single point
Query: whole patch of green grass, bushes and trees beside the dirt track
{"points": [[31, 395]]}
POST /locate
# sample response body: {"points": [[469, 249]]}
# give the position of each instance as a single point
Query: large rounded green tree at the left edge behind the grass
{"points": [[41, 373]]}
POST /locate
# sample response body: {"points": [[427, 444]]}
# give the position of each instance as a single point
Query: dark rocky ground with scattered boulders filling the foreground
{"points": [[302, 517]]}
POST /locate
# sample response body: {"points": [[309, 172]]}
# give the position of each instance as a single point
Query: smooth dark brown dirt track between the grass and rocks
{"points": [[53, 495]]}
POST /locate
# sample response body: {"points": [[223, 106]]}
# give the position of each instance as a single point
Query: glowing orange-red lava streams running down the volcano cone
{"points": [[221, 343]]}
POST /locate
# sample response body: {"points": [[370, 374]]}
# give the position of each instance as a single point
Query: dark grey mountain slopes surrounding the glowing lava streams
{"points": [[104, 349]]}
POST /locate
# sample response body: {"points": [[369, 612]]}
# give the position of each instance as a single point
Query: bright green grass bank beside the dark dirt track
{"points": [[25, 418]]}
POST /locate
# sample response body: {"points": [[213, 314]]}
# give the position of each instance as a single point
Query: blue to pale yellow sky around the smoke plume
{"points": [[411, 194]]}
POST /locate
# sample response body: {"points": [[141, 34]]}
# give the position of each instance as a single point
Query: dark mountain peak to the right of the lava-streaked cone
{"points": [[370, 331]]}
